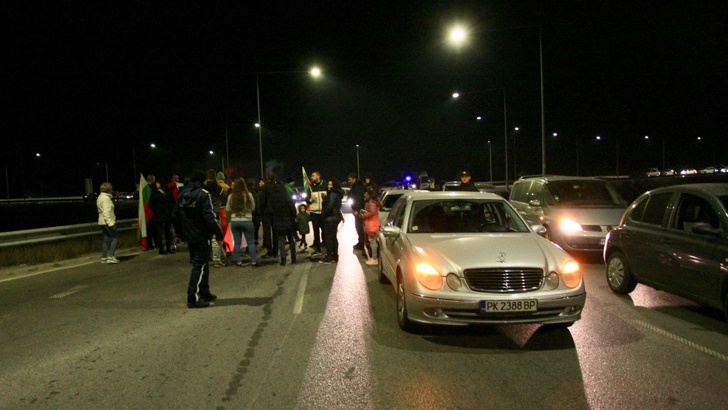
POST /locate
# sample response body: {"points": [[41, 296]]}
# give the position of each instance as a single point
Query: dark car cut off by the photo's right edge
{"points": [[673, 239]]}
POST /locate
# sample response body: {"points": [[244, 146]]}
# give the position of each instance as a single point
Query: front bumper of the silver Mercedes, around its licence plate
{"points": [[437, 311]]}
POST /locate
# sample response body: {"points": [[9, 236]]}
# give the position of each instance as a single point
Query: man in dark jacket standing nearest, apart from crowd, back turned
{"points": [[195, 223]]}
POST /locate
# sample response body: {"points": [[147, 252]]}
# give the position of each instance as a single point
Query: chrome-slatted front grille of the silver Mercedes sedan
{"points": [[504, 280]]}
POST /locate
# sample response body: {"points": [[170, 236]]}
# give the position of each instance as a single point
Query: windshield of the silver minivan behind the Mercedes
{"points": [[580, 193]]}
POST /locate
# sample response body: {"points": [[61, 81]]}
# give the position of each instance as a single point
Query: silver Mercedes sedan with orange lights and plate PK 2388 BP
{"points": [[461, 258]]}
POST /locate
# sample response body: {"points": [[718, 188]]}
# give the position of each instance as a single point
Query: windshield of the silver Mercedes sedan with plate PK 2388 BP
{"points": [[464, 215]]}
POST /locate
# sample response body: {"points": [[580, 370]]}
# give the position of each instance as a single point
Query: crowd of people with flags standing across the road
{"points": [[207, 207]]}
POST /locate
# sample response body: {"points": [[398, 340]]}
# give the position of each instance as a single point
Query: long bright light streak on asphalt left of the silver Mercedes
{"points": [[339, 373]]}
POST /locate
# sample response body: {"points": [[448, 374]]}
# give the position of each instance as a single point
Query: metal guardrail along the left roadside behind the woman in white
{"points": [[58, 233]]}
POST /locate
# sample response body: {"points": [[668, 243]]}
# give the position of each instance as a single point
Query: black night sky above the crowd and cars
{"points": [[90, 86]]}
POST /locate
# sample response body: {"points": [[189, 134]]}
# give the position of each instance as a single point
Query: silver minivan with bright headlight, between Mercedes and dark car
{"points": [[577, 212]]}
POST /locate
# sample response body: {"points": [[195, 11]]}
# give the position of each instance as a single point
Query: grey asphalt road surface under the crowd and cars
{"points": [[82, 335]]}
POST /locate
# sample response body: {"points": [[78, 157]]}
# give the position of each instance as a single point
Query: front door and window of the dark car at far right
{"points": [[692, 262]]}
